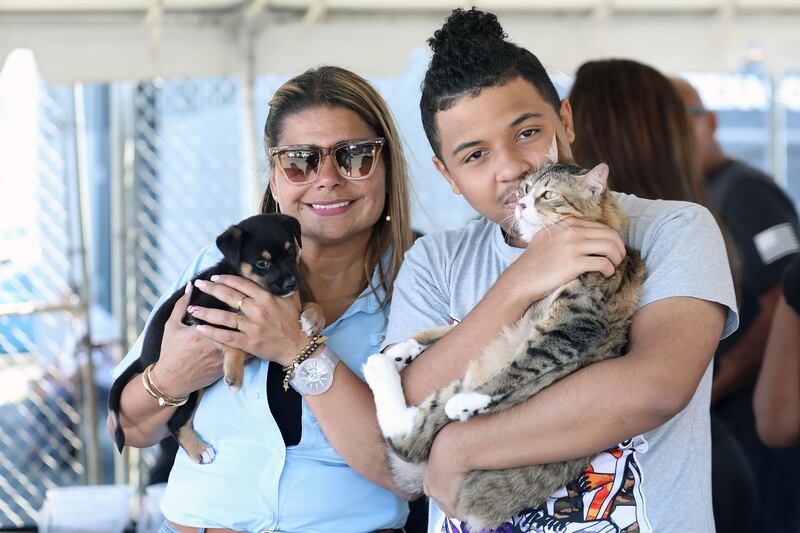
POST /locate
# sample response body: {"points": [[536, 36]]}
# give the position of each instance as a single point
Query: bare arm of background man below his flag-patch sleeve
{"points": [[738, 367]]}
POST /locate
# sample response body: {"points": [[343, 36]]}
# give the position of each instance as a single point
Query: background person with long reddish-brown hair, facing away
{"points": [[628, 115]]}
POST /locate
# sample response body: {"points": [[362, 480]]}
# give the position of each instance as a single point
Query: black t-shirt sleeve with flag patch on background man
{"points": [[764, 227]]}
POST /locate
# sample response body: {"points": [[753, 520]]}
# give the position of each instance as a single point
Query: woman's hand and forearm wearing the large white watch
{"points": [[269, 329]]}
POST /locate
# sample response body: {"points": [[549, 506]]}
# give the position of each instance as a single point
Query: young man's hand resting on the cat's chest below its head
{"points": [[562, 252]]}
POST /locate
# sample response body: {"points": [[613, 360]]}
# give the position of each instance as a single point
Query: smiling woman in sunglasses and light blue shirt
{"points": [[310, 458]]}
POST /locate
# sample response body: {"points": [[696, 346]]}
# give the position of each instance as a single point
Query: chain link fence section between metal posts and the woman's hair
{"points": [[189, 173]]}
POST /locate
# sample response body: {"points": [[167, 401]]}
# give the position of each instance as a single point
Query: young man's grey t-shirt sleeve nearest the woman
{"points": [[419, 299]]}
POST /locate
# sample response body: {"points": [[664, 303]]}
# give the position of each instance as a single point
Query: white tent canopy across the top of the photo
{"points": [[131, 39]]}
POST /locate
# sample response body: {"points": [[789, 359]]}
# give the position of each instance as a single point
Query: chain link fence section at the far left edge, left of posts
{"points": [[41, 445]]}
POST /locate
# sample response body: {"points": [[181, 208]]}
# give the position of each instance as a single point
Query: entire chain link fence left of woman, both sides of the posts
{"points": [[187, 180]]}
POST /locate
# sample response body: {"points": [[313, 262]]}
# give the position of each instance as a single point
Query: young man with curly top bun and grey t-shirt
{"points": [[490, 112]]}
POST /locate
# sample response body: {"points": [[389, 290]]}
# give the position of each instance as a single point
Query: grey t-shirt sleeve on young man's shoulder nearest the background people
{"points": [[685, 256]]}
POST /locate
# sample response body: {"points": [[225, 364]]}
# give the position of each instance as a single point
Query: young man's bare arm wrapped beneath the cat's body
{"points": [[671, 344]]}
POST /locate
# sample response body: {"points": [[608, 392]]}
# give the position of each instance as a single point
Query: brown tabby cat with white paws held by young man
{"points": [[584, 321]]}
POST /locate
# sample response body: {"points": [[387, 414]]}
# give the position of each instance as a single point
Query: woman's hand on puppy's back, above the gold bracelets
{"points": [[189, 361]]}
